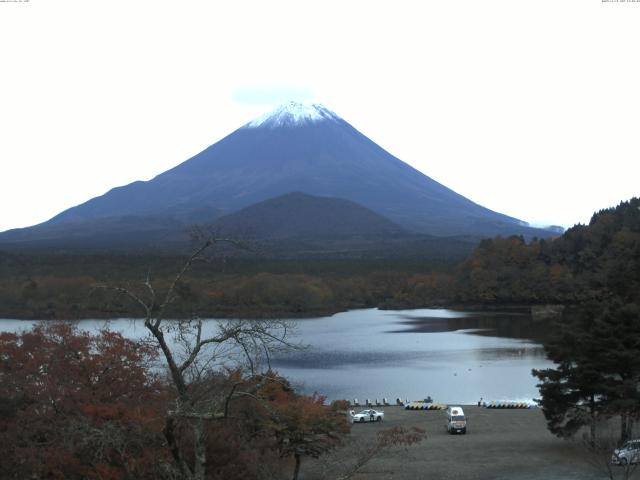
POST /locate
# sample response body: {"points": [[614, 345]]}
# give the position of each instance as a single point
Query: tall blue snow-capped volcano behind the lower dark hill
{"points": [[296, 148]]}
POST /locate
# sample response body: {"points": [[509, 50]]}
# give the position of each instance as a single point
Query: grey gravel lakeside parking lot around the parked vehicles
{"points": [[499, 444]]}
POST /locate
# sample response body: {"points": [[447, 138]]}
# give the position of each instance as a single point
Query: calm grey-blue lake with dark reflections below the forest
{"points": [[453, 356]]}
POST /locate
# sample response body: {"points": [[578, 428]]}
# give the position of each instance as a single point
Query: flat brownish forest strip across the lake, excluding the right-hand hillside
{"points": [[62, 286]]}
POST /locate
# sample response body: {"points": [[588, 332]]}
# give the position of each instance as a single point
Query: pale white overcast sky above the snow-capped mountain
{"points": [[528, 107]]}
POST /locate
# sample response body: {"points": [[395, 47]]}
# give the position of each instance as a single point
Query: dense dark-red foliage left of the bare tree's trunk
{"points": [[78, 406]]}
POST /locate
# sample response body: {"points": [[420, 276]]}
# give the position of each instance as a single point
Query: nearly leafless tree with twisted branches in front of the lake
{"points": [[195, 351]]}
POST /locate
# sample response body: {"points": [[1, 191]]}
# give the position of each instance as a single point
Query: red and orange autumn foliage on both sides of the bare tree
{"points": [[79, 406]]}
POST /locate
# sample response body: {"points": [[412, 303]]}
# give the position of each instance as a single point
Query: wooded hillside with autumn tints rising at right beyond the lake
{"points": [[592, 261]]}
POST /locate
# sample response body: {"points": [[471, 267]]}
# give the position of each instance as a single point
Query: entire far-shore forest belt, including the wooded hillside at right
{"points": [[584, 263]]}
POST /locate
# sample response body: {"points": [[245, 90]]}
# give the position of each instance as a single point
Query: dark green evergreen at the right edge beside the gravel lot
{"points": [[598, 369]]}
